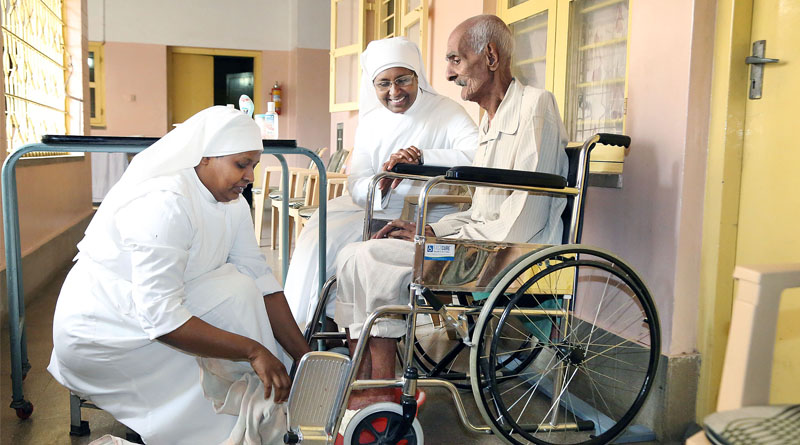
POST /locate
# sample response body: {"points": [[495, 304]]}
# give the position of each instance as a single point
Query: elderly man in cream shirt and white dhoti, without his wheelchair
{"points": [[522, 130]]}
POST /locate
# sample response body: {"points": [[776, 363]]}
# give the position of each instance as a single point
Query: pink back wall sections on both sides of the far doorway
{"points": [[136, 92]]}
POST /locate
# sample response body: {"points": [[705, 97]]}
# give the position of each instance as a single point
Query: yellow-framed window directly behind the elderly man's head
{"points": [[578, 50]]}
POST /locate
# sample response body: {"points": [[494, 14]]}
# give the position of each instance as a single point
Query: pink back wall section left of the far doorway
{"points": [[136, 90]]}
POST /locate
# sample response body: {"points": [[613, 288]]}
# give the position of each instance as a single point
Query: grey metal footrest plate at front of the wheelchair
{"points": [[316, 389]]}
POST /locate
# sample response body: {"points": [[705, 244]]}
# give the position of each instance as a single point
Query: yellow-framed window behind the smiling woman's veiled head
{"points": [[351, 24]]}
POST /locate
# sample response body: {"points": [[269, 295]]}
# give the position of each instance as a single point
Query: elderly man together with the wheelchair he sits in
{"points": [[559, 343]]}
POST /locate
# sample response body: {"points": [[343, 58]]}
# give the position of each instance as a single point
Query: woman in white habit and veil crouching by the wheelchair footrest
{"points": [[166, 320]]}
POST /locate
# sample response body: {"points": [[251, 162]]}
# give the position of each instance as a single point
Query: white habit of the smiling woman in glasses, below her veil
{"points": [[435, 124]]}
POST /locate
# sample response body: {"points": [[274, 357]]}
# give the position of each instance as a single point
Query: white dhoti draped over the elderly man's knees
{"points": [[370, 275]]}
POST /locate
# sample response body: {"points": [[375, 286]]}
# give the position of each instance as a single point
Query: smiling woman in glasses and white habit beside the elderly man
{"points": [[401, 118]]}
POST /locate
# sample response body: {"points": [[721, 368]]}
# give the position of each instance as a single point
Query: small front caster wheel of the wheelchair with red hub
{"points": [[375, 423]]}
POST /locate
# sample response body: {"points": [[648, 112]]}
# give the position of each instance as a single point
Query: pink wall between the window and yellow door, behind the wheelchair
{"points": [[663, 183]]}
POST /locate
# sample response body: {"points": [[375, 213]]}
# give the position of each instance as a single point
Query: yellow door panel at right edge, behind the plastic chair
{"points": [[769, 206]]}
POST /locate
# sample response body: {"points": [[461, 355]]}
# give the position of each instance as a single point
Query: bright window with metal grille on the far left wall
{"points": [[33, 70]]}
